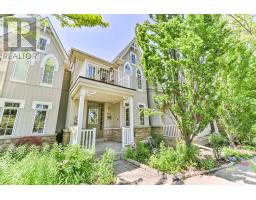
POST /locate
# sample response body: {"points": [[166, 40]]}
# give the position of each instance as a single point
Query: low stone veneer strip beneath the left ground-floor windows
{"points": [[48, 139]]}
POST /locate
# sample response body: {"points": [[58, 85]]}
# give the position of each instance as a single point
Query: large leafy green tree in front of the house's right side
{"points": [[183, 56]]}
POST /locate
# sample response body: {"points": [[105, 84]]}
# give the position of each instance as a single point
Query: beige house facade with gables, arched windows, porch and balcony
{"points": [[95, 100]]}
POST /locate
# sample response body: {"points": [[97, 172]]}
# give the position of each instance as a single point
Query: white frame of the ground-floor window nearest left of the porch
{"points": [[34, 104]]}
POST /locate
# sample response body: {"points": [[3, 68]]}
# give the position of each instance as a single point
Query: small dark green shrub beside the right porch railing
{"points": [[140, 153]]}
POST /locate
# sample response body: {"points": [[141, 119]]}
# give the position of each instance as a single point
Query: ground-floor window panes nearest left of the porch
{"points": [[40, 118]]}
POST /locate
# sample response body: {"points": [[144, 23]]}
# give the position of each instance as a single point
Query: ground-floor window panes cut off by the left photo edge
{"points": [[8, 118]]}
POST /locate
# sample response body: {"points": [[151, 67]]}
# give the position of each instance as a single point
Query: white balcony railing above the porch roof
{"points": [[107, 75]]}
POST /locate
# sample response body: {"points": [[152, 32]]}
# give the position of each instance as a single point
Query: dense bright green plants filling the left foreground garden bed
{"points": [[31, 165]]}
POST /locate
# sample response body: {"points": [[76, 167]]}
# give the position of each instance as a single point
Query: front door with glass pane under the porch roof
{"points": [[95, 117]]}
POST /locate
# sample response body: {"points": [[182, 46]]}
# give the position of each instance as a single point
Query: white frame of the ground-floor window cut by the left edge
{"points": [[2, 108]]}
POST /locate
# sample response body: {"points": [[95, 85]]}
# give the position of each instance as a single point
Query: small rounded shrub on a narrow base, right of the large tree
{"points": [[217, 142]]}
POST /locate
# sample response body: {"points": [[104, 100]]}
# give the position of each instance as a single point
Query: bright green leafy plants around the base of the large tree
{"points": [[174, 161]]}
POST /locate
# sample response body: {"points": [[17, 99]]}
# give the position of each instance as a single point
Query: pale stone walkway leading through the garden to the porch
{"points": [[129, 174]]}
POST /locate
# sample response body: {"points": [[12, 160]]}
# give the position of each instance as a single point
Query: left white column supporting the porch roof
{"points": [[80, 115]]}
